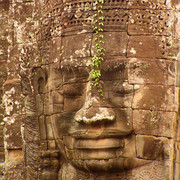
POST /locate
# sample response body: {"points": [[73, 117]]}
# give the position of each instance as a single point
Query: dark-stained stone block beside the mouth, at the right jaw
{"points": [[151, 147]]}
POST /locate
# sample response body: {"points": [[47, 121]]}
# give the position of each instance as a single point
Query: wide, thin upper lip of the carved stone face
{"points": [[107, 133]]}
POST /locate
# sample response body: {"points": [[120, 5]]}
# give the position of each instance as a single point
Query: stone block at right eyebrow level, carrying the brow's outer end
{"points": [[148, 71]]}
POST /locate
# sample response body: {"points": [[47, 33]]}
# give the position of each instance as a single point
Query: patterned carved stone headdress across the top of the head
{"points": [[77, 15]]}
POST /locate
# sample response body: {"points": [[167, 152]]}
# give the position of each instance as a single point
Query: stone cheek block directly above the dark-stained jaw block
{"points": [[157, 123]]}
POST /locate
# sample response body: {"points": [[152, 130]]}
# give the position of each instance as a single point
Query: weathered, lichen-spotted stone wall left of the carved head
{"points": [[15, 32]]}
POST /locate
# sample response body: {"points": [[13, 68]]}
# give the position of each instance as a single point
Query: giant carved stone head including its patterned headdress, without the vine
{"points": [[135, 125]]}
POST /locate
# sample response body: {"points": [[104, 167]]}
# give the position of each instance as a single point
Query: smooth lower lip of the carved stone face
{"points": [[104, 143]]}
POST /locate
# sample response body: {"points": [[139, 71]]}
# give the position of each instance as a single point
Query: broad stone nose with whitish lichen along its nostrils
{"points": [[92, 110]]}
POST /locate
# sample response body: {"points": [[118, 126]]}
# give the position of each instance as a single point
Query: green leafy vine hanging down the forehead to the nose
{"points": [[99, 49]]}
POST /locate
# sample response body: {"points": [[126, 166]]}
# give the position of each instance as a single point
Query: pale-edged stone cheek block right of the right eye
{"points": [[157, 97]]}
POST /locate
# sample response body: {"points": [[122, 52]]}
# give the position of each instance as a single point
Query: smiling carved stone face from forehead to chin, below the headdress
{"points": [[134, 124]]}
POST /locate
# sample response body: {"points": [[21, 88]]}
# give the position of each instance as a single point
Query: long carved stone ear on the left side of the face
{"points": [[33, 87]]}
